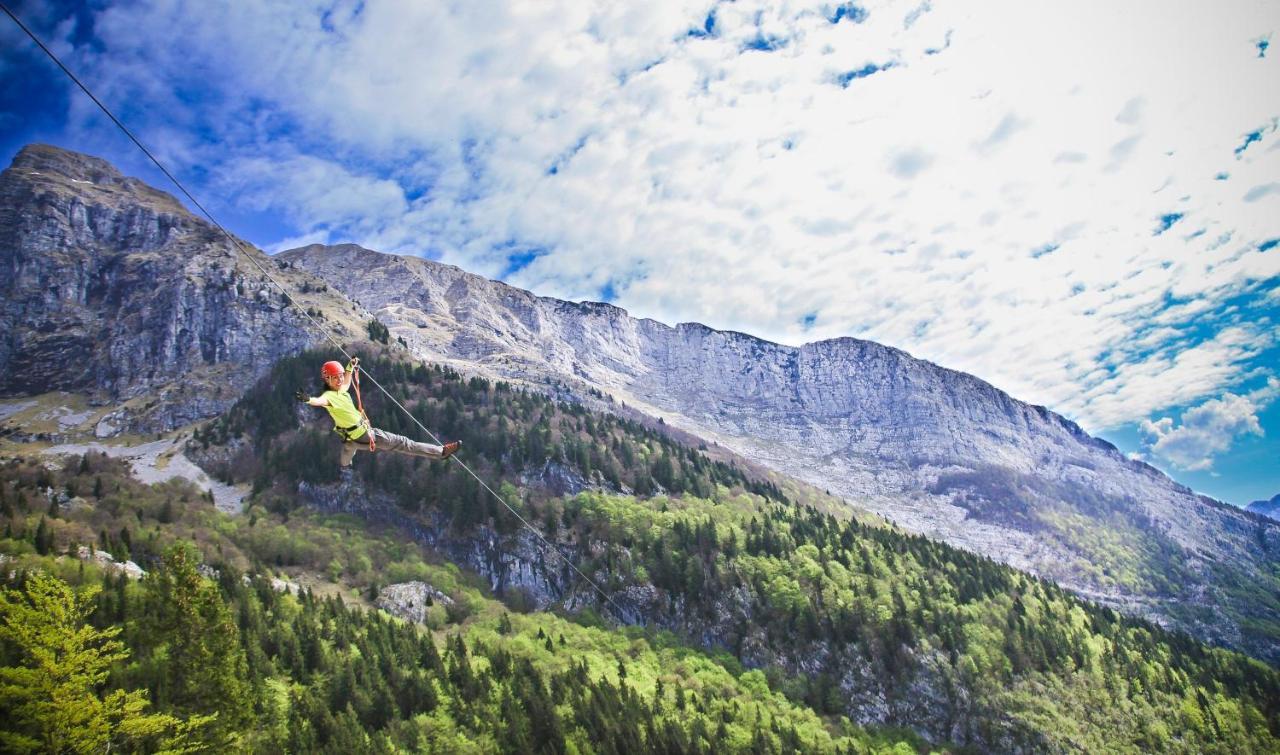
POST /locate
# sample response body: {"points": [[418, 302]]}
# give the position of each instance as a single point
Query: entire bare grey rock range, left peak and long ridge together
{"points": [[109, 289]]}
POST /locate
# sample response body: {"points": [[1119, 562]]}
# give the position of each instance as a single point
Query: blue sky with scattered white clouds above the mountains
{"points": [[1078, 203]]}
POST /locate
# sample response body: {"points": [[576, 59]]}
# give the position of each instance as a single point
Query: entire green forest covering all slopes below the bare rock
{"points": [[758, 624]]}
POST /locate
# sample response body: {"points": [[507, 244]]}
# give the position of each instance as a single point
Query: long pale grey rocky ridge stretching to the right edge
{"points": [[939, 452]]}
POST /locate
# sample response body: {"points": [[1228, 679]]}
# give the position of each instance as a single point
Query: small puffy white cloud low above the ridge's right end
{"points": [[1208, 431]]}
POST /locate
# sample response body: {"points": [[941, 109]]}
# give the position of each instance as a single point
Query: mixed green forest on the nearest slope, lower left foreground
{"points": [[200, 656]]}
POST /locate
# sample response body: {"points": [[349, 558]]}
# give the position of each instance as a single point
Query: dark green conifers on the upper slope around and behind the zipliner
{"points": [[506, 432]]}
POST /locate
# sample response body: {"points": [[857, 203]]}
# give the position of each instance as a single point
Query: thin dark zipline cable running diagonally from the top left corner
{"points": [[323, 332]]}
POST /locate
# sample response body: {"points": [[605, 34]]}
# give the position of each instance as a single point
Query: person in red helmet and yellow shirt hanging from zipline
{"points": [[353, 424]]}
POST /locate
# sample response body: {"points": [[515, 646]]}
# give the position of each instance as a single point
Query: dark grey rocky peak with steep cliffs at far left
{"points": [[112, 289]]}
